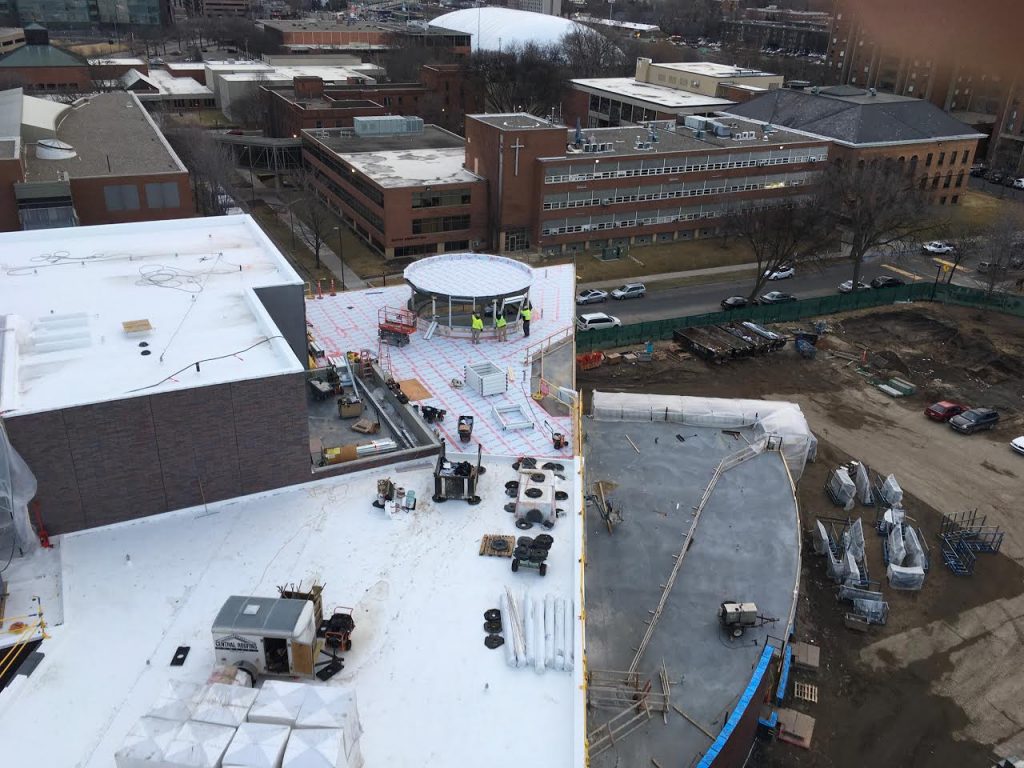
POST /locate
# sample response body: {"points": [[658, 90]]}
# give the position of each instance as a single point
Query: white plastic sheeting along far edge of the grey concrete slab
{"points": [[767, 418]]}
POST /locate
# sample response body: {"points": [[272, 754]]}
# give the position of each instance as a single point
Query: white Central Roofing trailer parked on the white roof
{"points": [[268, 636]]}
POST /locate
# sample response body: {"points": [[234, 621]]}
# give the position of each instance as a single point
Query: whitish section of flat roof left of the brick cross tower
{"points": [[413, 167]]}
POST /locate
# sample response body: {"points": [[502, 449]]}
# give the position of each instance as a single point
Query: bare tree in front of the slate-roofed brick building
{"points": [[874, 206]]}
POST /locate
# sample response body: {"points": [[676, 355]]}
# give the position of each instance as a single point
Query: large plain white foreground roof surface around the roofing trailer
{"points": [[416, 583]]}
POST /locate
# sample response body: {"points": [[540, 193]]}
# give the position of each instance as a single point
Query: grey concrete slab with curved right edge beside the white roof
{"points": [[747, 548]]}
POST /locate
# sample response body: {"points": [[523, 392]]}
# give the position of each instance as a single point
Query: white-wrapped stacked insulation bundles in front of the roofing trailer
{"points": [[280, 726]]}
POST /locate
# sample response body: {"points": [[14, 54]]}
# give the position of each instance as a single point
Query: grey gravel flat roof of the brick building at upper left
{"points": [[113, 136]]}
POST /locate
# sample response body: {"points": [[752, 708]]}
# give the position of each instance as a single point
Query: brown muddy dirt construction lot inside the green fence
{"points": [[942, 684]]}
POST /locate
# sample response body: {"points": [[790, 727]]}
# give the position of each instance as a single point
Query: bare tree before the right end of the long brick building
{"points": [[788, 233]]}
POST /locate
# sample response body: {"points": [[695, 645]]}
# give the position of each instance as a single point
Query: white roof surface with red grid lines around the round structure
{"points": [[349, 322]]}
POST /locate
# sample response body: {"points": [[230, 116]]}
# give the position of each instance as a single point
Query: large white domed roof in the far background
{"points": [[500, 28]]}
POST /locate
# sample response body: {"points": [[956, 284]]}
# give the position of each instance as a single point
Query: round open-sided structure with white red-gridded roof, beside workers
{"points": [[451, 287]]}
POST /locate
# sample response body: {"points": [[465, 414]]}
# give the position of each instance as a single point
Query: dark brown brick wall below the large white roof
{"points": [[127, 459]]}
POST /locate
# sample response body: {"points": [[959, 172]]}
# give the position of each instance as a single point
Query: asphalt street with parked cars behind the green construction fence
{"points": [[810, 282]]}
